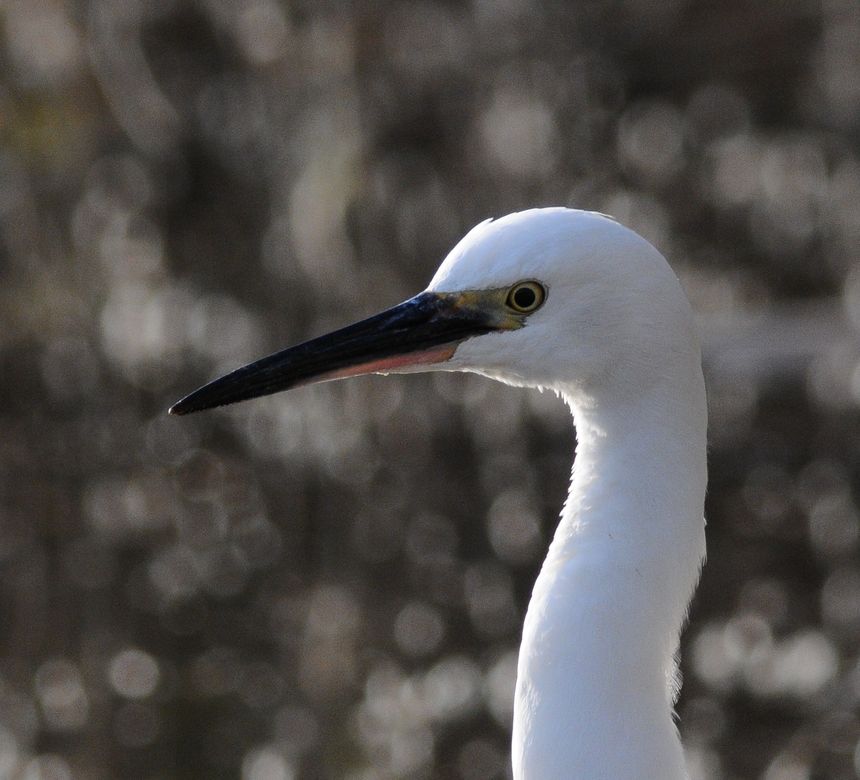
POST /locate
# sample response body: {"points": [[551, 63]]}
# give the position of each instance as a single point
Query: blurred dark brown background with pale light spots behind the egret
{"points": [[331, 583]]}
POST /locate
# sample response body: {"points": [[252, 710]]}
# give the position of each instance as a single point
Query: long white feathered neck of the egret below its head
{"points": [[597, 671]]}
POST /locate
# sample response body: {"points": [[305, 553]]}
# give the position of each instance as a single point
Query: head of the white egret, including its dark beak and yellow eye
{"points": [[557, 298]]}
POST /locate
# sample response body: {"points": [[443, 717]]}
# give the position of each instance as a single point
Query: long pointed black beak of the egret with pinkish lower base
{"points": [[424, 330]]}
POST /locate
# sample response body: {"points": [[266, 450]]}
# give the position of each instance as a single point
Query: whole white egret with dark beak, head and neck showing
{"points": [[574, 302]]}
